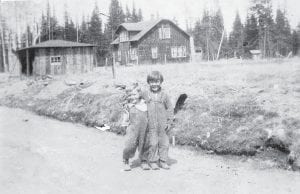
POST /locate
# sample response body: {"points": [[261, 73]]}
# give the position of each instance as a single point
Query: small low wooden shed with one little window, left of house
{"points": [[56, 57]]}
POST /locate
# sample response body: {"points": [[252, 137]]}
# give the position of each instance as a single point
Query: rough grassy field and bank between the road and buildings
{"points": [[233, 107]]}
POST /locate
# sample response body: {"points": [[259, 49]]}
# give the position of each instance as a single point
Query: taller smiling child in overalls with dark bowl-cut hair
{"points": [[160, 117]]}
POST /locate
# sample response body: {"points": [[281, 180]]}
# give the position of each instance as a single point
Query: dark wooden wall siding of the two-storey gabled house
{"points": [[152, 40]]}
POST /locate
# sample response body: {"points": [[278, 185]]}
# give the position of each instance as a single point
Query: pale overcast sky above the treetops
{"points": [[182, 10]]}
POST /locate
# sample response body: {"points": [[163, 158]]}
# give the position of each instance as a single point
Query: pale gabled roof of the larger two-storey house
{"points": [[143, 28]]}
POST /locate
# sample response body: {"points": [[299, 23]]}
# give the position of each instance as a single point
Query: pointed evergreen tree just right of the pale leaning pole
{"points": [[236, 37]]}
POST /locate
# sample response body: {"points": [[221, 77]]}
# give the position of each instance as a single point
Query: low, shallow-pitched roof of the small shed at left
{"points": [[58, 44]]}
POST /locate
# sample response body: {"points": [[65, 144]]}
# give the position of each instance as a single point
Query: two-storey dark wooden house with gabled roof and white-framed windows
{"points": [[157, 41]]}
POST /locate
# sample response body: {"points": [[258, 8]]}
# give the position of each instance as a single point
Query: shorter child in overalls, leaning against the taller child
{"points": [[136, 132]]}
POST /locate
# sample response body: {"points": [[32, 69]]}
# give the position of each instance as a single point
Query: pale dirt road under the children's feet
{"points": [[40, 155]]}
